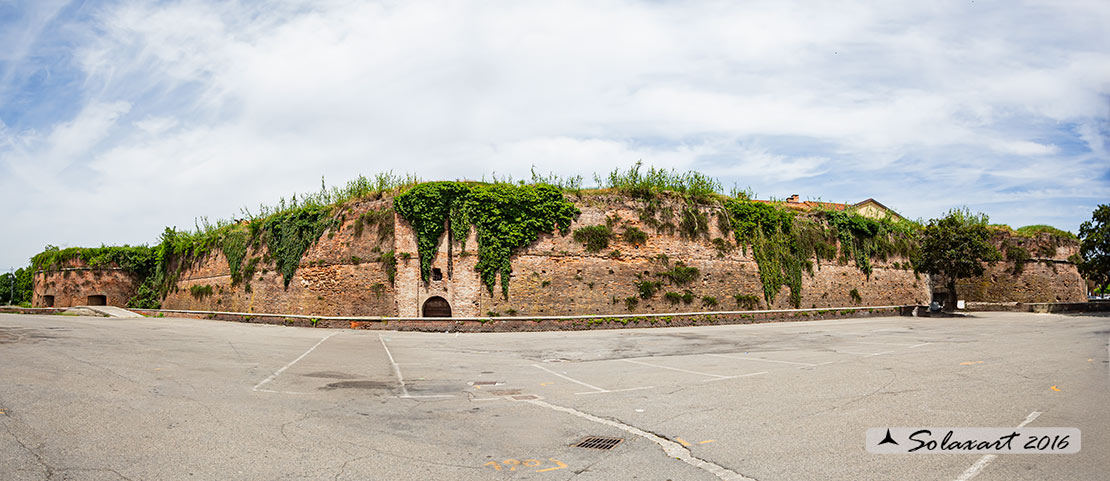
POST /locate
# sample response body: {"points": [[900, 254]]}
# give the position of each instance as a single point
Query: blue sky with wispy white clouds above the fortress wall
{"points": [[122, 118]]}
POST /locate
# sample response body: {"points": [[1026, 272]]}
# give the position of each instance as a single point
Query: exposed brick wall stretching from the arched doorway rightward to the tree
{"points": [[558, 277]]}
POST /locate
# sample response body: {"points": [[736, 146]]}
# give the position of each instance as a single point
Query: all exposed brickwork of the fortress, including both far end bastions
{"points": [[342, 275]]}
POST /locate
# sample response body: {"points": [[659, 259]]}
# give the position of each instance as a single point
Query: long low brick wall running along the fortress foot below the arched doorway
{"points": [[544, 324]]}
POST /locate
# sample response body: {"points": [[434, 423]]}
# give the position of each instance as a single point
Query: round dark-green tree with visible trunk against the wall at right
{"points": [[956, 247]]}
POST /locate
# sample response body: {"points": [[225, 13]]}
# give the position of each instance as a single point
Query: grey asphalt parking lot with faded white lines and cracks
{"points": [[167, 399]]}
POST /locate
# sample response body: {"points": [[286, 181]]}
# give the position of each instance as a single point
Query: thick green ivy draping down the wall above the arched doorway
{"points": [[507, 217]]}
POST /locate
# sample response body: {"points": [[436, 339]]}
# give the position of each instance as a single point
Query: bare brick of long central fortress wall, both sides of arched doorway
{"points": [[553, 277]]}
